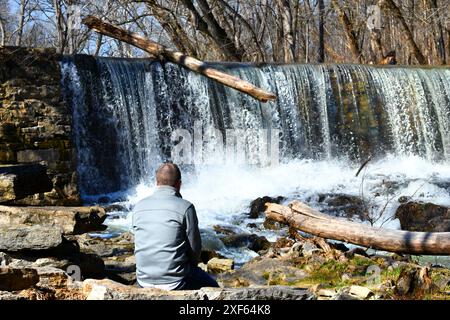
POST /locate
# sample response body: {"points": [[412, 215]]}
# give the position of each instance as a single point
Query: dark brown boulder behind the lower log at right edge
{"points": [[426, 217]]}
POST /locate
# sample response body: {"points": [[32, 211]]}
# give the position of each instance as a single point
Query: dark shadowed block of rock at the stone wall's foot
{"points": [[20, 180]]}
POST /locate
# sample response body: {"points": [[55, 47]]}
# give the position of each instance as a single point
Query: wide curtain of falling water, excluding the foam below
{"points": [[125, 111]]}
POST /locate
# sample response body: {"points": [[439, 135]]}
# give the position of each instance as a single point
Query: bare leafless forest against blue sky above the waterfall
{"points": [[283, 31]]}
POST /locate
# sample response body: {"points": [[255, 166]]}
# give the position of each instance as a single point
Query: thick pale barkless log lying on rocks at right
{"points": [[306, 219]]}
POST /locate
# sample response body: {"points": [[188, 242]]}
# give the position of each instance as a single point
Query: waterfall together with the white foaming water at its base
{"points": [[330, 119]]}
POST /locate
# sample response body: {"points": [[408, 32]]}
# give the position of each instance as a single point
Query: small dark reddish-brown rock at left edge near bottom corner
{"points": [[12, 279]]}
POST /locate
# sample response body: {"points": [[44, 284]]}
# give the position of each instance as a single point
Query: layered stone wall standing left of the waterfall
{"points": [[35, 123]]}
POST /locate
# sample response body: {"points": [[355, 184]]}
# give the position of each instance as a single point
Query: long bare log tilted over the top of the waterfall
{"points": [[177, 57]]}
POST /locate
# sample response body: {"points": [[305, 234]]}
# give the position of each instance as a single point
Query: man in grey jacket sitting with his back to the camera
{"points": [[167, 238]]}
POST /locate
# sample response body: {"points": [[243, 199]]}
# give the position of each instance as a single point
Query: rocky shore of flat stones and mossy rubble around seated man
{"points": [[47, 253]]}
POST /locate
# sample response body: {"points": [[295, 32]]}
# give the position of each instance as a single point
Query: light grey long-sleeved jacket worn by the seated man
{"points": [[167, 238]]}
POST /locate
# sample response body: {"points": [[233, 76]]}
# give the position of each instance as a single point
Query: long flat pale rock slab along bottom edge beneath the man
{"points": [[110, 290]]}
